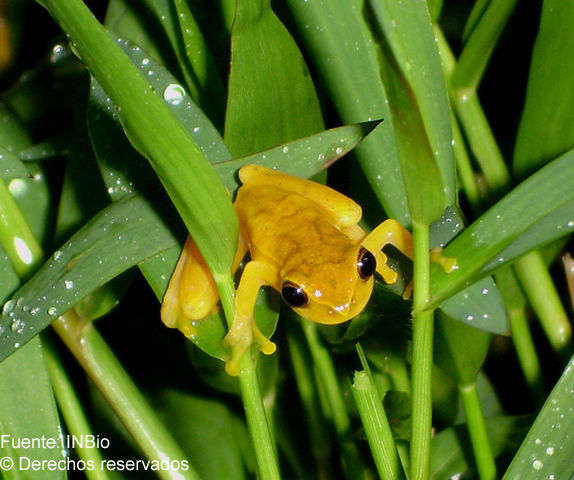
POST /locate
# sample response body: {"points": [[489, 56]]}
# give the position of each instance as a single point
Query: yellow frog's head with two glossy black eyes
{"points": [[331, 292]]}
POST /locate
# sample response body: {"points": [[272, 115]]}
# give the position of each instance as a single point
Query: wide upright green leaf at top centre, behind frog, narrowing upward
{"points": [[277, 104]]}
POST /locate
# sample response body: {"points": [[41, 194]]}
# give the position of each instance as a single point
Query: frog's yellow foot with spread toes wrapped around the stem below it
{"points": [[243, 334]]}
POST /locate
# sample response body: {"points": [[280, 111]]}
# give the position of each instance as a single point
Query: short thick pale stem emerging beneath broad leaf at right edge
{"points": [[540, 290]]}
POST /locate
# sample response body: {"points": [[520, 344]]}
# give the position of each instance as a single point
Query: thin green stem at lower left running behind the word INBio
{"points": [[71, 409]]}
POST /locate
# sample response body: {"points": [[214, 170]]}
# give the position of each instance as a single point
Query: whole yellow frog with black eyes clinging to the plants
{"points": [[304, 241]]}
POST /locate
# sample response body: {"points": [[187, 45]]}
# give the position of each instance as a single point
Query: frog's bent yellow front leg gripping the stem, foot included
{"points": [[244, 330]]}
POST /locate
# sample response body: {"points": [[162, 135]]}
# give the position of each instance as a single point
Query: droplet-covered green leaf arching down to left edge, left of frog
{"points": [[118, 238]]}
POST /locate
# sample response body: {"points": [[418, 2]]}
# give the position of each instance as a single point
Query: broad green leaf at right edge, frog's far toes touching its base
{"points": [[536, 212]]}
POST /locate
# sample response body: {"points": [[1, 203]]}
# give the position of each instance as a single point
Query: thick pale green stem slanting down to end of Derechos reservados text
{"points": [[126, 400]]}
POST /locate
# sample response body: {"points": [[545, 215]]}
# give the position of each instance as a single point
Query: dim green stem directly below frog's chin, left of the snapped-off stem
{"points": [[327, 376]]}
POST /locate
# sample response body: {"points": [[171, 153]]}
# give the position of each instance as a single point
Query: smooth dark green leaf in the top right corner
{"points": [[546, 129]]}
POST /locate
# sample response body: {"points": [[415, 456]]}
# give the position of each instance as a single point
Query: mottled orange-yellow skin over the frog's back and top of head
{"points": [[295, 236]]}
